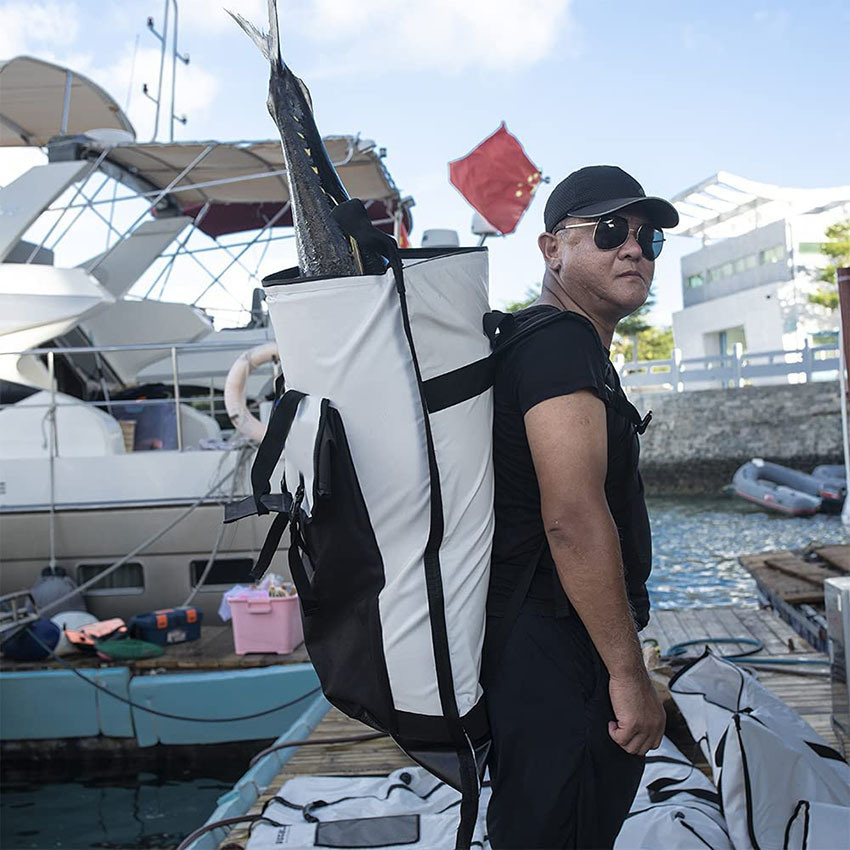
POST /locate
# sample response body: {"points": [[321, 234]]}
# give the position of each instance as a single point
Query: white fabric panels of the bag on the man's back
{"points": [[344, 340]]}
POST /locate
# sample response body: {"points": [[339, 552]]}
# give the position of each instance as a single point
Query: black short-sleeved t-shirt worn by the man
{"points": [[561, 358]]}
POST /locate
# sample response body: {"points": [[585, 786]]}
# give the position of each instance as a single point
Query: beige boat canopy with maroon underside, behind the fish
{"points": [[229, 187]]}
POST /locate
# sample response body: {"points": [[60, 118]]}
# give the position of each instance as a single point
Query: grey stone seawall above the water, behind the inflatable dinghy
{"points": [[698, 439]]}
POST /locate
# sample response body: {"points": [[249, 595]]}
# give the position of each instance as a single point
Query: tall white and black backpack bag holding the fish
{"points": [[386, 432]]}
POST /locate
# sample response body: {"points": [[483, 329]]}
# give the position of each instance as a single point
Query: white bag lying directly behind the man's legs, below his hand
{"points": [[676, 807]]}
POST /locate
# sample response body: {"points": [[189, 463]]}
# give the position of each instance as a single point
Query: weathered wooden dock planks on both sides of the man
{"points": [[809, 695]]}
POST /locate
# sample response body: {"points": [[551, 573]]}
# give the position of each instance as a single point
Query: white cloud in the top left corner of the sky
{"points": [[27, 25]]}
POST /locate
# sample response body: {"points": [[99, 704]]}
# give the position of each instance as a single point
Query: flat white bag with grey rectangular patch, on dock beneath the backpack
{"points": [[408, 804]]}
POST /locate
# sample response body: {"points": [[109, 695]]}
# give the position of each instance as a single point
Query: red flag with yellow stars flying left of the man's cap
{"points": [[498, 179]]}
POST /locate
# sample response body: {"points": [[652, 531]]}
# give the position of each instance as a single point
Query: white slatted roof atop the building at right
{"points": [[727, 205]]}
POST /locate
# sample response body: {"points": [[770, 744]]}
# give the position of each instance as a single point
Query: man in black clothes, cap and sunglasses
{"points": [[572, 708]]}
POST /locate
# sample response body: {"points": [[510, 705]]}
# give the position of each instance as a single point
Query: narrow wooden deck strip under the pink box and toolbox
{"points": [[214, 650]]}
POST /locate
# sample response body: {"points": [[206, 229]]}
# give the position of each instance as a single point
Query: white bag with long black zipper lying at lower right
{"points": [[765, 758]]}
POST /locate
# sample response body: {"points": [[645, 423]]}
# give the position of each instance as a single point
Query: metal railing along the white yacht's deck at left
{"points": [[117, 404]]}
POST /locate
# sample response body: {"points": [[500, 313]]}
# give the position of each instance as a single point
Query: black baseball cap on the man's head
{"points": [[601, 189]]}
